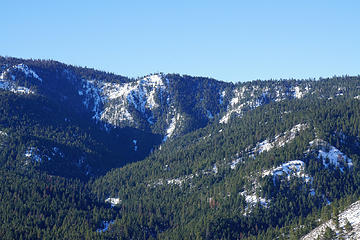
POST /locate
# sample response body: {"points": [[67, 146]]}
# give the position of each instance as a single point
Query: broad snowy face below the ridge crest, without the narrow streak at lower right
{"points": [[110, 101]]}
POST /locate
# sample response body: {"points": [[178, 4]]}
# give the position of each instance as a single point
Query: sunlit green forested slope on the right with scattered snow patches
{"points": [[278, 165]]}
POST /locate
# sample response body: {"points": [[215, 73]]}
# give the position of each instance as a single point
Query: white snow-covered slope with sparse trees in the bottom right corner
{"points": [[351, 215]]}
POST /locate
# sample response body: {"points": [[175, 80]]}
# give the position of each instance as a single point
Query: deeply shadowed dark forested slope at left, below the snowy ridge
{"points": [[44, 135]]}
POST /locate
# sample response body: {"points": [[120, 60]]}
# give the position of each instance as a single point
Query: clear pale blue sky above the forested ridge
{"points": [[227, 40]]}
